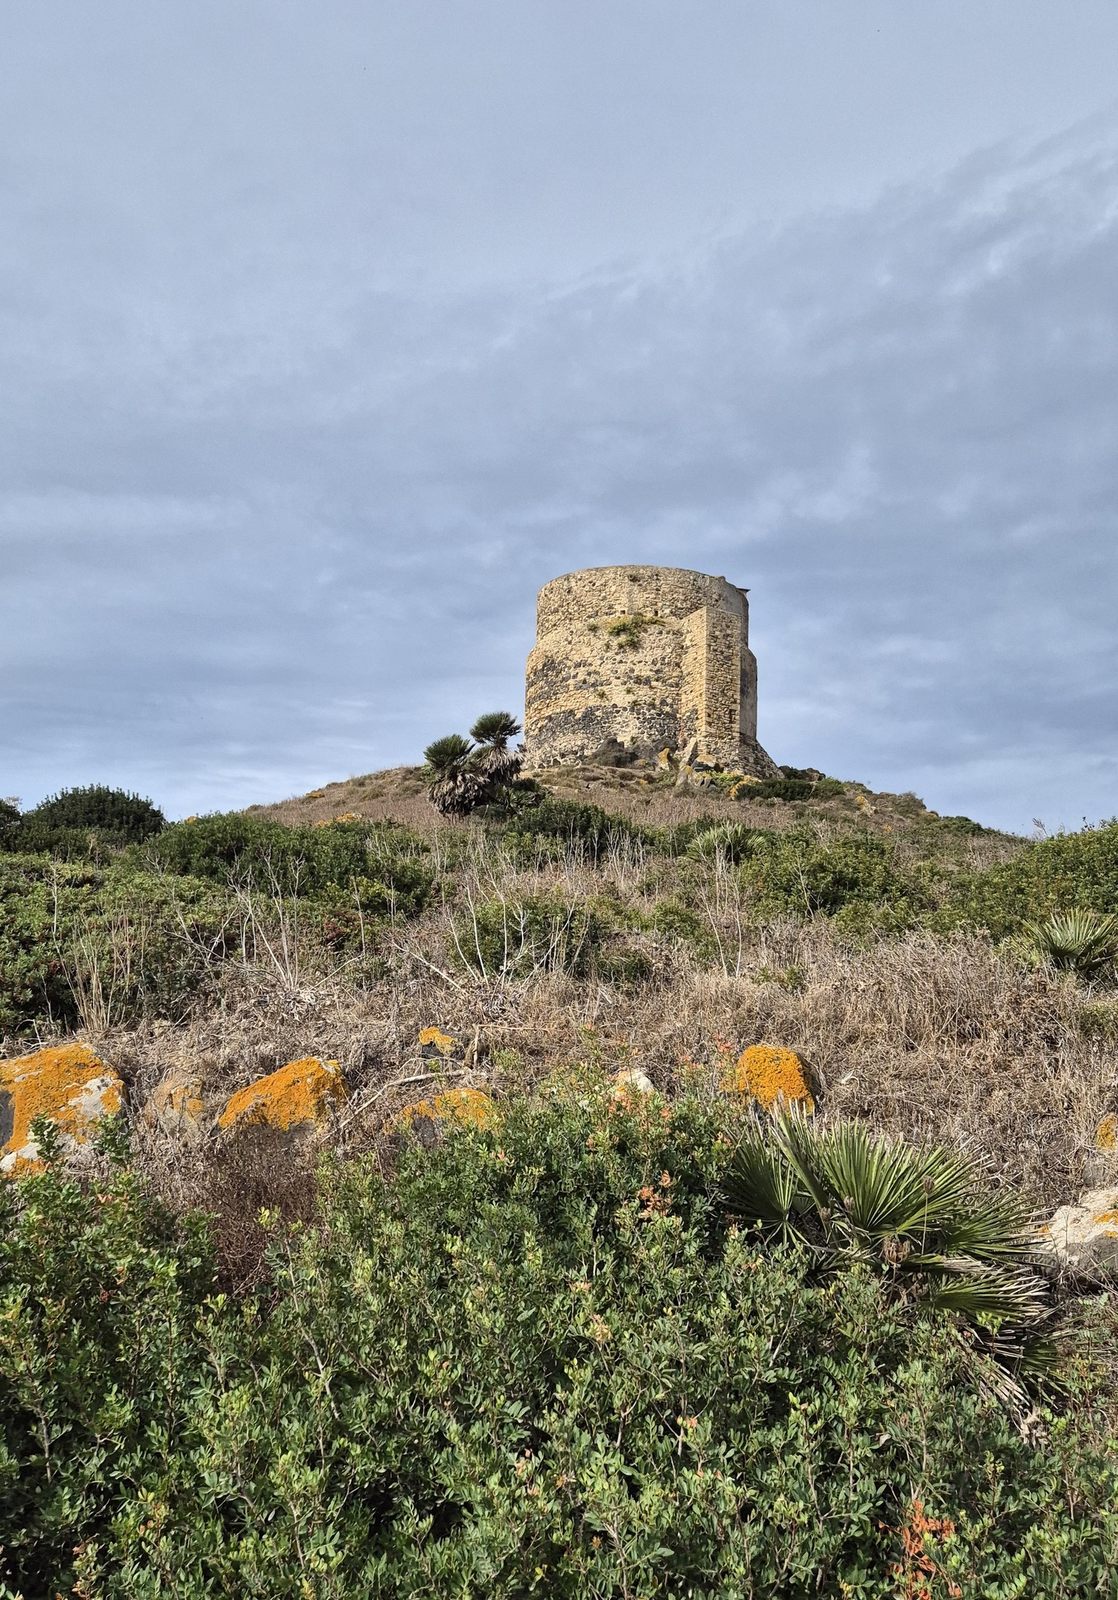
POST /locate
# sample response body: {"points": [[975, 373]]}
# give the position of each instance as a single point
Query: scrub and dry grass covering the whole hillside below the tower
{"points": [[585, 1351]]}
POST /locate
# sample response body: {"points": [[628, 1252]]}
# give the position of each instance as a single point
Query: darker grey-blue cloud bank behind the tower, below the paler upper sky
{"points": [[242, 561]]}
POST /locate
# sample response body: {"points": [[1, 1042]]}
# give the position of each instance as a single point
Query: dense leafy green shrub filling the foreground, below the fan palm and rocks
{"points": [[533, 1362]]}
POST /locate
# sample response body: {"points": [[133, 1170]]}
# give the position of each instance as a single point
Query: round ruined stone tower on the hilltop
{"points": [[645, 658]]}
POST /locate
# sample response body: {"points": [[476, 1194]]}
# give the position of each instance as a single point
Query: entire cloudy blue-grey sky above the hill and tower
{"points": [[329, 332]]}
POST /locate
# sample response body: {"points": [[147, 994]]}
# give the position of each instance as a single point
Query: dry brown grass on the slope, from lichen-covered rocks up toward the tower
{"points": [[936, 1039]]}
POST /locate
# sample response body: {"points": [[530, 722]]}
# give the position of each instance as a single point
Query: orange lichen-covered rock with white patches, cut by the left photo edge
{"points": [[66, 1084]]}
